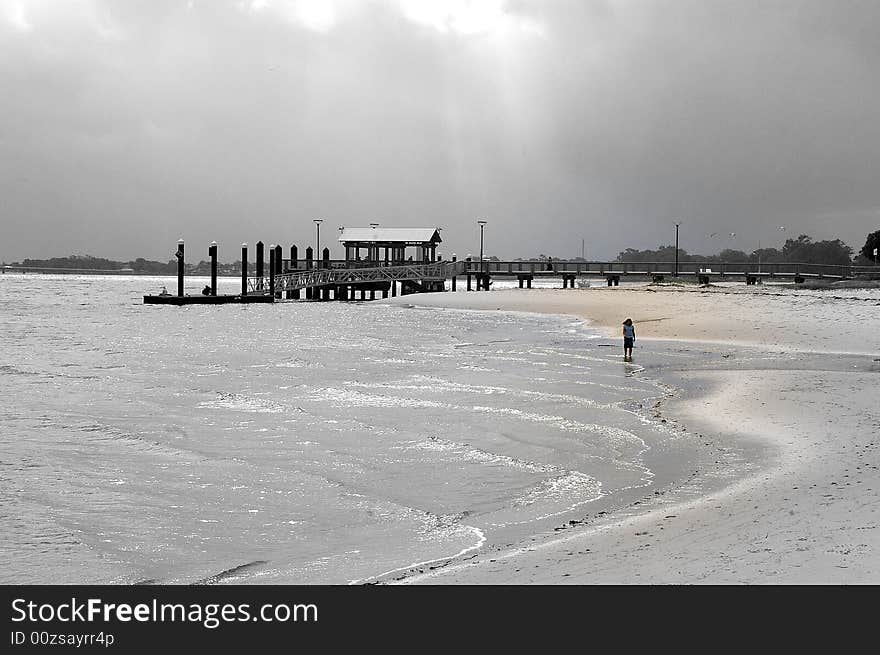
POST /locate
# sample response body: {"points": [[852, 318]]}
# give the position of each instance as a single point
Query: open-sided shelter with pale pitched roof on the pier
{"points": [[390, 245]]}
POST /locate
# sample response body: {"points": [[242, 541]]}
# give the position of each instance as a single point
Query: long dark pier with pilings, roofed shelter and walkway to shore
{"points": [[377, 264]]}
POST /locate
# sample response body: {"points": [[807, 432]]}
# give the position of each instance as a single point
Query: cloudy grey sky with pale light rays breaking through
{"points": [[569, 126]]}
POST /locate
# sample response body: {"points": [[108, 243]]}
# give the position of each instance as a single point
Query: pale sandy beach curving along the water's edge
{"points": [[789, 392]]}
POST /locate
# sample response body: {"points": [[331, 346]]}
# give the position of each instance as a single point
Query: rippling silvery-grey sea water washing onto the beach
{"points": [[300, 442]]}
